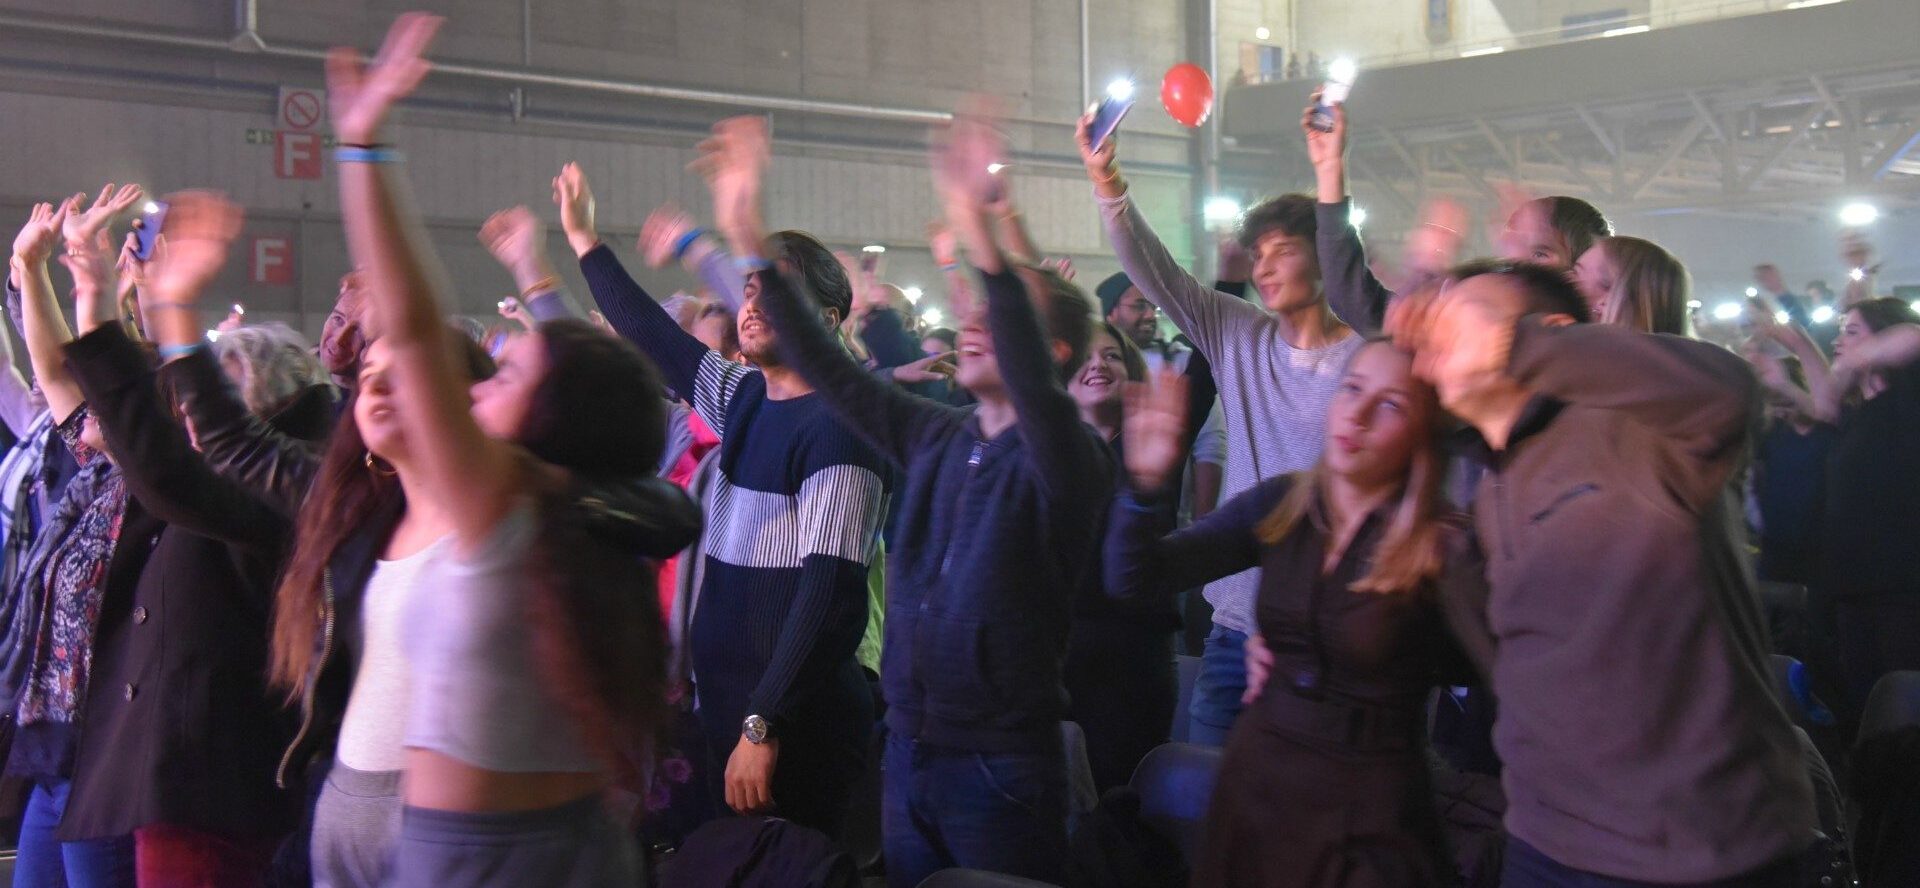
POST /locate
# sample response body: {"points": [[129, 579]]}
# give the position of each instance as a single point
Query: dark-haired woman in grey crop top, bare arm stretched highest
{"points": [[535, 643]]}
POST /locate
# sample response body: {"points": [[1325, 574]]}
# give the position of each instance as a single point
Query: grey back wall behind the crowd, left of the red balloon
{"points": [[82, 112]]}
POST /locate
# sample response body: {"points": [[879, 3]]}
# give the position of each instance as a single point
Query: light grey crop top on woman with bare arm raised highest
{"points": [[477, 693]]}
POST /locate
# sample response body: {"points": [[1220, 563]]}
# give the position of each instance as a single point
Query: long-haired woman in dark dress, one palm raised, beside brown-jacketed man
{"points": [[1324, 782]]}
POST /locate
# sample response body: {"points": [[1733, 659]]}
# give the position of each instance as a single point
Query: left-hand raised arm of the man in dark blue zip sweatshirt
{"points": [[896, 423]]}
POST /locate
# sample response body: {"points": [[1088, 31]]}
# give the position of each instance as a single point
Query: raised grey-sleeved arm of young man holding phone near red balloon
{"points": [[1207, 315]]}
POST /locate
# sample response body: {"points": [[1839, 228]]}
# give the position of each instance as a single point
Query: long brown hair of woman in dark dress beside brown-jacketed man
{"points": [[1410, 551]]}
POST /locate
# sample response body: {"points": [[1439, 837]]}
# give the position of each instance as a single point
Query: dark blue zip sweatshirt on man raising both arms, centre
{"points": [[994, 534]]}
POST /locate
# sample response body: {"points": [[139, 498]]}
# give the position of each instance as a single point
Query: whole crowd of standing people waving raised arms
{"points": [[439, 607]]}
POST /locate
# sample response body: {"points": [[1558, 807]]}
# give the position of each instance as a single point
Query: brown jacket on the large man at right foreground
{"points": [[1639, 728]]}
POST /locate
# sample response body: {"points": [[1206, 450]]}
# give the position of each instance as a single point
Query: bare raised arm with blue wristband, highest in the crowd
{"points": [[473, 477]]}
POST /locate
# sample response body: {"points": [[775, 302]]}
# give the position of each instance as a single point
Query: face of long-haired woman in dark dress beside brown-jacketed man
{"points": [[1378, 419]]}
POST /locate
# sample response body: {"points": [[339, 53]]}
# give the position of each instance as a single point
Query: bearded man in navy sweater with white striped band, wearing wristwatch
{"points": [[792, 525]]}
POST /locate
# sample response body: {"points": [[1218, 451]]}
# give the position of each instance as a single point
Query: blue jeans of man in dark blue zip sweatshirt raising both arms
{"points": [[997, 812]]}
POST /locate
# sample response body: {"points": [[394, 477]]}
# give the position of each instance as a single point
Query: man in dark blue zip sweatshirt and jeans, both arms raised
{"points": [[996, 534]]}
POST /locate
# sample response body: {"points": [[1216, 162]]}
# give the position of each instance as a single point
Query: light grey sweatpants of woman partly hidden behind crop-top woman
{"points": [[356, 826]]}
